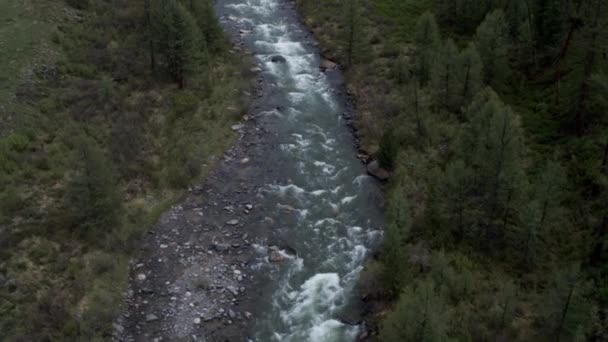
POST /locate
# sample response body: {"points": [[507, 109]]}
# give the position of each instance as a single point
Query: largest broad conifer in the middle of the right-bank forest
{"points": [[492, 143]]}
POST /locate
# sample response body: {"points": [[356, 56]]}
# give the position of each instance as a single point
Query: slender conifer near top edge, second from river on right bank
{"points": [[427, 41]]}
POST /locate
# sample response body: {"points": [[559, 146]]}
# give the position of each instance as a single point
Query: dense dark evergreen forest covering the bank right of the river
{"points": [[492, 117]]}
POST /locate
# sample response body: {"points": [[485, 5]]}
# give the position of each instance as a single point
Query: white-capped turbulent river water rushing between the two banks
{"points": [[334, 204]]}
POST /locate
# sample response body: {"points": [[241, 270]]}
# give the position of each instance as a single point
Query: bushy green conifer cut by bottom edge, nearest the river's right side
{"points": [[420, 315]]}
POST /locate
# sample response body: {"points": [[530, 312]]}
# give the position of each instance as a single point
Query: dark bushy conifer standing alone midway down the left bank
{"points": [[91, 197]]}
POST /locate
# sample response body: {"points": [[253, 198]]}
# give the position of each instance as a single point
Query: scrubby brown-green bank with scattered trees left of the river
{"points": [[104, 137]]}
